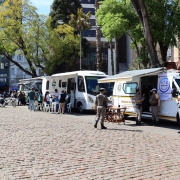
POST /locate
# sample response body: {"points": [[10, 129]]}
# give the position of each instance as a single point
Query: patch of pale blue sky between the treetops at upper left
{"points": [[43, 6]]}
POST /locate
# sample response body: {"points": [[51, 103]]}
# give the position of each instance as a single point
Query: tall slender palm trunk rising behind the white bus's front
{"points": [[98, 42]]}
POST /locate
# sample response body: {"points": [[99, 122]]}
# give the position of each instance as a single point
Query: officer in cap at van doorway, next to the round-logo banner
{"points": [[154, 104]]}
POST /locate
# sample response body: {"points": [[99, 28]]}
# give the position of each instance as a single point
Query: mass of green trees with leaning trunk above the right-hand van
{"points": [[149, 23]]}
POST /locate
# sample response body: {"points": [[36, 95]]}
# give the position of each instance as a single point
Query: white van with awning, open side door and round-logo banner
{"points": [[167, 83]]}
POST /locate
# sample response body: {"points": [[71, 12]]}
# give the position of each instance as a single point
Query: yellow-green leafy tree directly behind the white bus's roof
{"points": [[64, 45]]}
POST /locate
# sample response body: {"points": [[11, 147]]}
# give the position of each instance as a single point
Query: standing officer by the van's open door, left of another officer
{"points": [[138, 101]]}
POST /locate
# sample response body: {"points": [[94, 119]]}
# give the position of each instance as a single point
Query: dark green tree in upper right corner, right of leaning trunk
{"points": [[164, 23]]}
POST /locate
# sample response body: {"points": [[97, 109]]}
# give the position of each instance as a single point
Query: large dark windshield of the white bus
{"points": [[93, 86]]}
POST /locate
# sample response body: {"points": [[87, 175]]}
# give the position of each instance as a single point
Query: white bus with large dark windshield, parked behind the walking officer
{"points": [[81, 86]]}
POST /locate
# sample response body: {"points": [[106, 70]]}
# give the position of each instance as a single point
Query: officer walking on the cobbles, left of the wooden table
{"points": [[100, 106]]}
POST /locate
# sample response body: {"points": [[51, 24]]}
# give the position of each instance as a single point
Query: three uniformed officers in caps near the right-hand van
{"points": [[101, 101]]}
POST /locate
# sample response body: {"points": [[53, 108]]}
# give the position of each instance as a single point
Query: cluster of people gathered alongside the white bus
{"points": [[60, 99]]}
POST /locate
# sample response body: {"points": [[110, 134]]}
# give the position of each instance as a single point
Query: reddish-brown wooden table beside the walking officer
{"points": [[115, 114]]}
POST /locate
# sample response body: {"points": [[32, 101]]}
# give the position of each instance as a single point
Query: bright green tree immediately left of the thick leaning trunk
{"points": [[118, 18]]}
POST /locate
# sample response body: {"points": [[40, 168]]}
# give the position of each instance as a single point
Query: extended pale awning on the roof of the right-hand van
{"points": [[128, 75]]}
